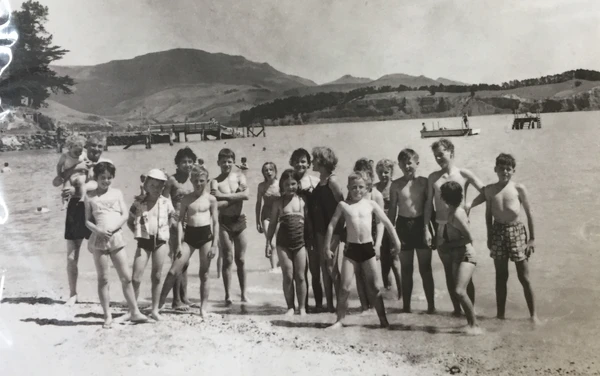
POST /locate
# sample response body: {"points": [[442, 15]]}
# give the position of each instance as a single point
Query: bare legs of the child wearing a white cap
{"points": [[139, 264]]}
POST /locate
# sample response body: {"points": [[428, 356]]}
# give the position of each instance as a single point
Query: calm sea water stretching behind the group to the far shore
{"points": [[558, 164]]}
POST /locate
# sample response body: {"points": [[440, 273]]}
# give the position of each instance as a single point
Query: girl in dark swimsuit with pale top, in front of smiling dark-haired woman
{"points": [[290, 212]]}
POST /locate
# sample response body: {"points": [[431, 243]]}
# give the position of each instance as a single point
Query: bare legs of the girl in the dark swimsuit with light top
{"points": [[293, 266]]}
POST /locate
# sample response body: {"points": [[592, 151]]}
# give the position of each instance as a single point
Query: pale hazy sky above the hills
{"points": [[472, 41]]}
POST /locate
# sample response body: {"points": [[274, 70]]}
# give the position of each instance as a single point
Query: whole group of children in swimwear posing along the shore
{"points": [[392, 219]]}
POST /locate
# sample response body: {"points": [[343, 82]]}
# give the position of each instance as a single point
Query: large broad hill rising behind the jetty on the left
{"points": [[106, 89]]}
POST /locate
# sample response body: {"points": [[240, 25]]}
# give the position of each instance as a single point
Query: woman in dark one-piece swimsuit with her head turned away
{"points": [[324, 199]]}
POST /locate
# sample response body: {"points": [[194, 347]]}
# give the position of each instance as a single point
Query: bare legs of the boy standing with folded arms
{"points": [[233, 247]]}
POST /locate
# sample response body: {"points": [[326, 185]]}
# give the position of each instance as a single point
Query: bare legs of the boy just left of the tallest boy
{"points": [[407, 262]]}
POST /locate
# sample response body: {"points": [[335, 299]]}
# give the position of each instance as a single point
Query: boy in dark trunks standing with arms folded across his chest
{"points": [[230, 189]]}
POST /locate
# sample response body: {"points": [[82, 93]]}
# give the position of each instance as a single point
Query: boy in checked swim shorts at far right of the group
{"points": [[507, 237]]}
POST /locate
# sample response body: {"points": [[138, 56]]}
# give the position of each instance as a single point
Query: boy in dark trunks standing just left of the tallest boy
{"points": [[408, 196]]}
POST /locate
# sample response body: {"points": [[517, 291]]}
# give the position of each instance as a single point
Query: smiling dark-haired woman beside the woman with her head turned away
{"points": [[301, 161]]}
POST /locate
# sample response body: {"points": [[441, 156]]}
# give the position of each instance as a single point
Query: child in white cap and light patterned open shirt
{"points": [[150, 220]]}
